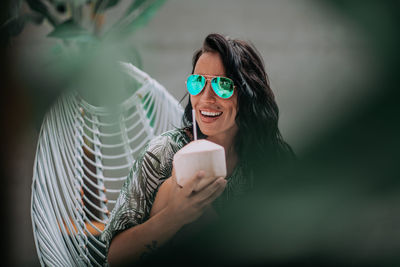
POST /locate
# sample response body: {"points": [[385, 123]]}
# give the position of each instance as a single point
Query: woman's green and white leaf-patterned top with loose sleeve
{"points": [[149, 171]]}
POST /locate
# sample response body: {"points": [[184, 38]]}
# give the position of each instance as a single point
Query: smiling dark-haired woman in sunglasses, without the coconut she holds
{"points": [[235, 108]]}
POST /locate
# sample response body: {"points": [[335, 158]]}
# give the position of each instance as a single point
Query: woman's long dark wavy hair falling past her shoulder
{"points": [[258, 138]]}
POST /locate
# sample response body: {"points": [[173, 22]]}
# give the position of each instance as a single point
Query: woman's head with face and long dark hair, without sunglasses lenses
{"points": [[250, 122]]}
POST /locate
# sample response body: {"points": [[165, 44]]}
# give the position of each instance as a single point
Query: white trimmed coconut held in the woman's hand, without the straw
{"points": [[196, 156]]}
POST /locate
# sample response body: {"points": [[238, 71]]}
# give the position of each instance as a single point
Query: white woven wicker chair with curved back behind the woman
{"points": [[83, 156]]}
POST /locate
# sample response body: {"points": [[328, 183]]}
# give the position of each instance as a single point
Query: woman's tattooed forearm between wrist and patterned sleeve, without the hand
{"points": [[132, 244]]}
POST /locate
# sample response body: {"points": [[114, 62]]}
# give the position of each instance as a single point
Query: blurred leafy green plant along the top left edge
{"points": [[80, 20]]}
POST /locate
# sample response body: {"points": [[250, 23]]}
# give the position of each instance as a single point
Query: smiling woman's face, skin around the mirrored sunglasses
{"points": [[214, 115]]}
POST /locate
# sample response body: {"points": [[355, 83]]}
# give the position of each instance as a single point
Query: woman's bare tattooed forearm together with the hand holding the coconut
{"points": [[184, 205]]}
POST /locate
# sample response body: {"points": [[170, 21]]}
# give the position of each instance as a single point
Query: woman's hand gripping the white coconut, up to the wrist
{"points": [[186, 204]]}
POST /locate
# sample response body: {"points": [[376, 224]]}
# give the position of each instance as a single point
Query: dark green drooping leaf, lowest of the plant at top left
{"points": [[69, 30]]}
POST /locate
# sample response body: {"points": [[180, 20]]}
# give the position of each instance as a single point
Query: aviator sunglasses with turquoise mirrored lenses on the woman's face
{"points": [[222, 86]]}
